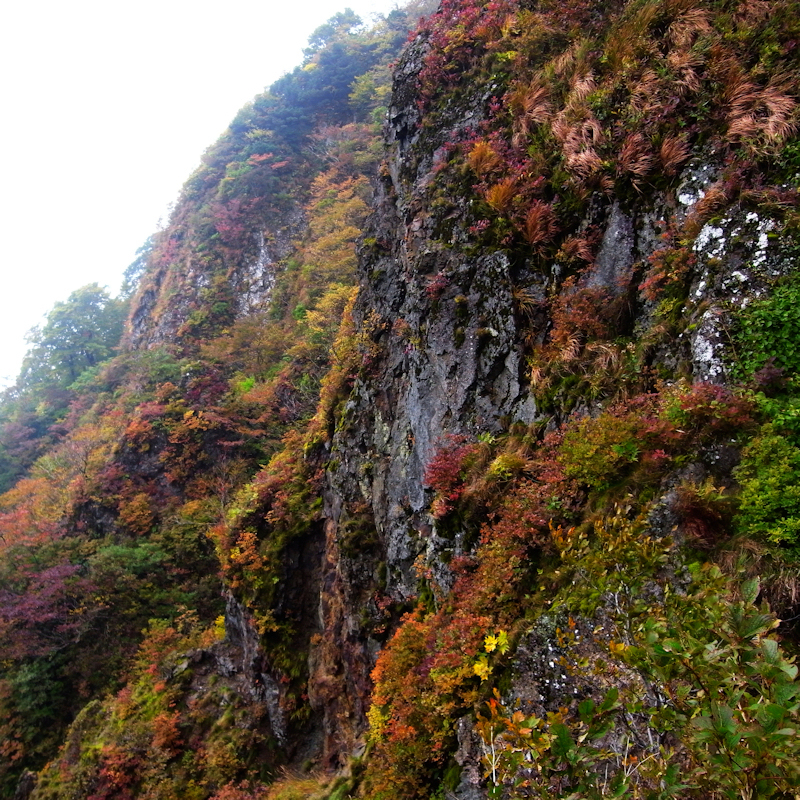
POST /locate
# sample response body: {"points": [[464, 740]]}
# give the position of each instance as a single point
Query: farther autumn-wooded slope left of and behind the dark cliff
{"points": [[110, 543]]}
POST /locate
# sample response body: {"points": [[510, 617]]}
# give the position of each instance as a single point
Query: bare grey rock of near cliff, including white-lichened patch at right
{"points": [[446, 355]]}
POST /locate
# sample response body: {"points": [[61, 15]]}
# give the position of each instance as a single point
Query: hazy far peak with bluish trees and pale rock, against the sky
{"points": [[241, 213]]}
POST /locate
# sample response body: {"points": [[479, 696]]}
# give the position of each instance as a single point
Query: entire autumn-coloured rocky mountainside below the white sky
{"points": [[452, 448]]}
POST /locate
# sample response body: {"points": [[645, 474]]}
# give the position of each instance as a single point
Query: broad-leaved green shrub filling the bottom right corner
{"points": [[734, 698]]}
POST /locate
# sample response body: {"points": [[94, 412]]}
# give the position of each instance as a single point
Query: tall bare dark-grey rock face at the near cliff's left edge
{"points": [[444, 358]]}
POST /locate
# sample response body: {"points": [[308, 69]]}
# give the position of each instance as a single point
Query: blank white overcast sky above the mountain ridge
{"points": [[106, 108]]}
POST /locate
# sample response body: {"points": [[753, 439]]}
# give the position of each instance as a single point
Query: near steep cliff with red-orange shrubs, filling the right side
{"points": [[577, 213]]}
